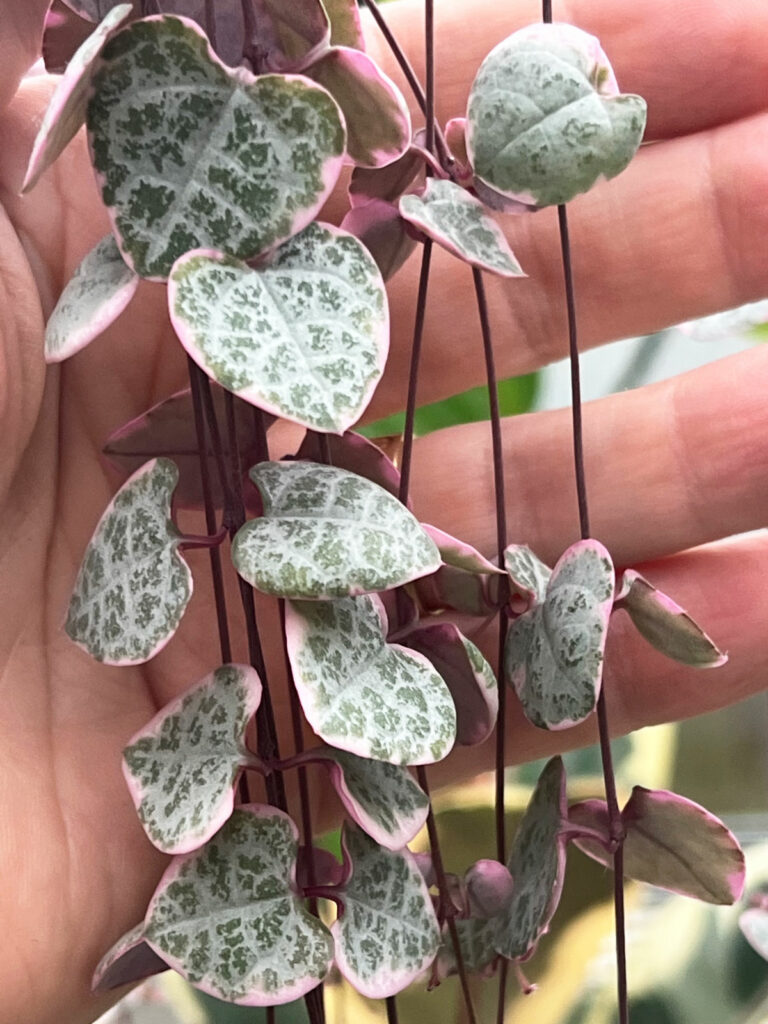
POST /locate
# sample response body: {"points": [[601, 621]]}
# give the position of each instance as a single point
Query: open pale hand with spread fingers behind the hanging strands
{"points": [[671, 468]]}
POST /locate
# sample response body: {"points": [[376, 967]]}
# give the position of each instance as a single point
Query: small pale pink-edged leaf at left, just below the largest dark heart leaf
{"points": [[99, 292]]}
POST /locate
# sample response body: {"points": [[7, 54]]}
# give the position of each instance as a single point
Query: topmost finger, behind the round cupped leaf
{"points": [[698, 65]]}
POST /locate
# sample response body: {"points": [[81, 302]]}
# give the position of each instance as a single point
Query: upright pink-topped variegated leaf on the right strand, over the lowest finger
{"points": [[554, 652]]}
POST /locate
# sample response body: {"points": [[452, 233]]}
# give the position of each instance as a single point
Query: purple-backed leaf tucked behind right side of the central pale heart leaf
{"points": [[467, 674]]}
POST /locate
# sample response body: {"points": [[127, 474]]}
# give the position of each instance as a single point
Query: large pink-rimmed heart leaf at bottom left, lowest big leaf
{"points": [[228, 919]]}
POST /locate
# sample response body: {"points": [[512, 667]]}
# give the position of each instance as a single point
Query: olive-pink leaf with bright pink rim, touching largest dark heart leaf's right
{"points": [[377, 117]]}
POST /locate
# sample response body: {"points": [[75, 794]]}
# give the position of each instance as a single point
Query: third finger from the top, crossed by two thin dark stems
{"points": [[668, 467]]}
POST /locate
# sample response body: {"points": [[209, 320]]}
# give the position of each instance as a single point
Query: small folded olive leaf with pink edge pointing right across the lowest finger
{"points": [[665, 625]]}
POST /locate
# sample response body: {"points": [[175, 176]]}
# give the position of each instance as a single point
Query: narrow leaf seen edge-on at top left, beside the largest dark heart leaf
{"points": [[66, 113]]}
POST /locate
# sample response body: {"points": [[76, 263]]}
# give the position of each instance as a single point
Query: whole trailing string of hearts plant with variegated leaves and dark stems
{"points": [[218, 133]]}
